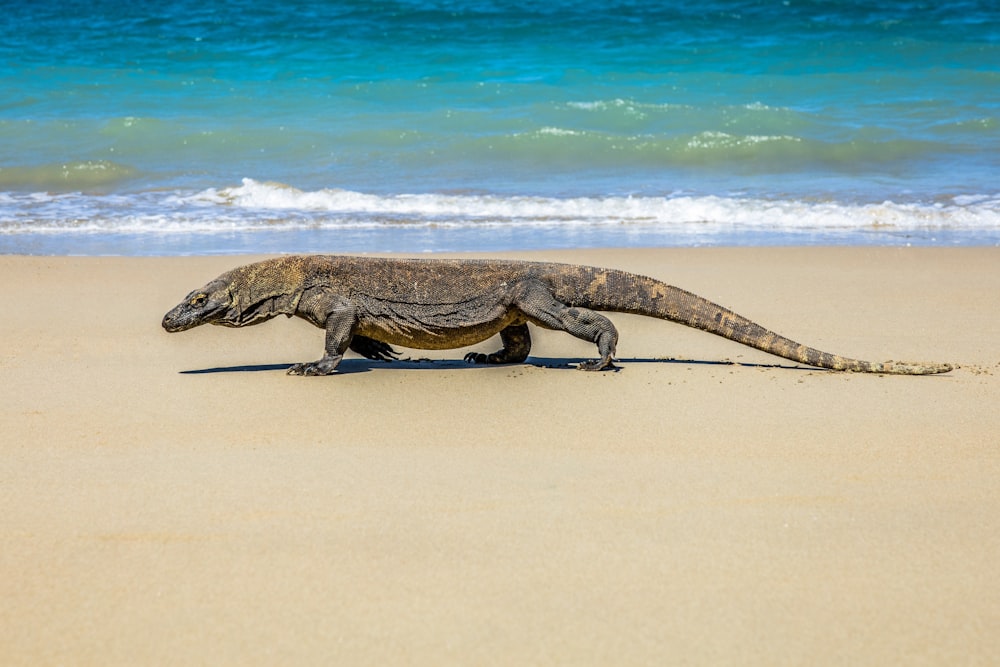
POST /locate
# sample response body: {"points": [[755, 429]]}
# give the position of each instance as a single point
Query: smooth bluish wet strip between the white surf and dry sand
{"points": [[421, 241]]}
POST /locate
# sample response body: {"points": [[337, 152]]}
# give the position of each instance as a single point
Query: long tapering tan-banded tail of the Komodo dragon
{"points": [[619, 291]]}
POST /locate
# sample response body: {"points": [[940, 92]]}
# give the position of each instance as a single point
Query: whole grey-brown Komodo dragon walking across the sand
{"points": [[369, 304]]}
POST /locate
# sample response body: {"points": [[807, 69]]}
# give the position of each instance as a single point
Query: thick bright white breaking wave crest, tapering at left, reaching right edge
{"points": [[973, 211]]}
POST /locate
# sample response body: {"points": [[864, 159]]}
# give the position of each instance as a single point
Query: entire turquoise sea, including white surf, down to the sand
{"points": [[224, 126]]}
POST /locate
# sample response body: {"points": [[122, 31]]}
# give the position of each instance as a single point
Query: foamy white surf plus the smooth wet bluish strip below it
{"points": [[270, 217]]}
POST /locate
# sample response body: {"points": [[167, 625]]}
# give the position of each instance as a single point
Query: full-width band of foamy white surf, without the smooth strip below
{"points": [[255, 205]]}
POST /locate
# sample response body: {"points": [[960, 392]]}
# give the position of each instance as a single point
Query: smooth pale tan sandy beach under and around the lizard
{"points": [[176, 499]]}
